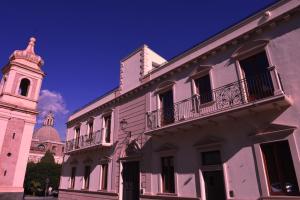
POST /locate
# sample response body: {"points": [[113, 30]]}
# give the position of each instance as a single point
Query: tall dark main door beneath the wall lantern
{"points": [[131, 180]]}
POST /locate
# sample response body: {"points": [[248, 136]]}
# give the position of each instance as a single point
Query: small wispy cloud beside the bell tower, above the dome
{"points": [[51, 101]]}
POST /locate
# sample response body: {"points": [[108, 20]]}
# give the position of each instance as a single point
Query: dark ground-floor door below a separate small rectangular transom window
{"points": [[214, 185]]}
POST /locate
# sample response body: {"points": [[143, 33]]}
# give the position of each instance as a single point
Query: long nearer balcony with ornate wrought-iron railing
{"points": [[240, 95]]}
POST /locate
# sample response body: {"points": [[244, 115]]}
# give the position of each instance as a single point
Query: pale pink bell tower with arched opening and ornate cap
{"points": [[19, 91]]}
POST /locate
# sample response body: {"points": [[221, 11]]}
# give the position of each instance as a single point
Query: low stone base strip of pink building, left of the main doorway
{"points": [[86, 195]]}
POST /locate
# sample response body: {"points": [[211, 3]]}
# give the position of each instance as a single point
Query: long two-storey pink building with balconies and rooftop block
{"points": [[220, 121]]}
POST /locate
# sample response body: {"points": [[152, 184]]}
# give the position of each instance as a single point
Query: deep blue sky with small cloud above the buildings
{"points": [[83, 41]]}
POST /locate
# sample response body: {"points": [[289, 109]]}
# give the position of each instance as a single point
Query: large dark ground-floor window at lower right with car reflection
{"points": [[280, 168]]}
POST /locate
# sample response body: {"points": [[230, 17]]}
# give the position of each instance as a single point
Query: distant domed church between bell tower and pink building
{"points": [[46, 139]]}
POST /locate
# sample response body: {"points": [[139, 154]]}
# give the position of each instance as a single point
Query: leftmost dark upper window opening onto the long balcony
{"points": [[167, 107]]}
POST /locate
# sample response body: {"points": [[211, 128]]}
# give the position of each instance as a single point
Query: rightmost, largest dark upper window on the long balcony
{"points": [[257, 76]]}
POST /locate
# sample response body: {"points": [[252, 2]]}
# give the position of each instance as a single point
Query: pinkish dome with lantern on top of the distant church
{"points": [[47, 132]]}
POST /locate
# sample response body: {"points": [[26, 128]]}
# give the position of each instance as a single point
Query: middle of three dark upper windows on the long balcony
{"points": [[203, 89]]}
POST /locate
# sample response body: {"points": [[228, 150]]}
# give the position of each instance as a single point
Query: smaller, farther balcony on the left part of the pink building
{"points": [[87, 142]]}
